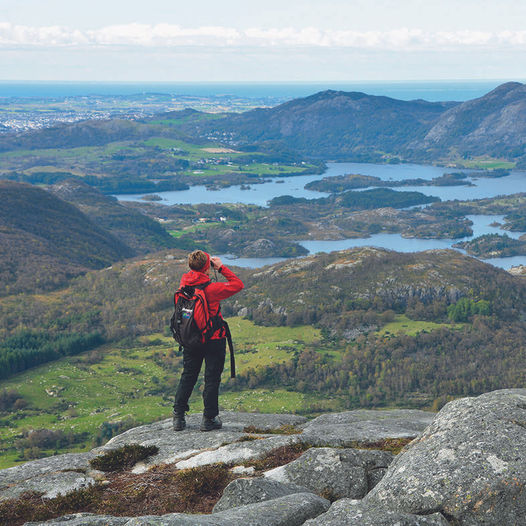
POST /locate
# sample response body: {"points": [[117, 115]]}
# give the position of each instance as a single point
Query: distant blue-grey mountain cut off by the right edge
{"points": [[493, 125]]}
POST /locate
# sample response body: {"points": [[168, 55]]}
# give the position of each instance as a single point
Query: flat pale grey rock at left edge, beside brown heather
{"points": [[51, 484]]}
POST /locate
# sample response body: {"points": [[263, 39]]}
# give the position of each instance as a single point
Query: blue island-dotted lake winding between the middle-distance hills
{"points": [[260, 194]]}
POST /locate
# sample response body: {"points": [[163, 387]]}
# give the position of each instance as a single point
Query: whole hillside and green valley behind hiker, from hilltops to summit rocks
{"points": [[357, 328]]}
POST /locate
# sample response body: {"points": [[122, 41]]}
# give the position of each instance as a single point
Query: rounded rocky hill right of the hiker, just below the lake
{"points": [[375, 279]]}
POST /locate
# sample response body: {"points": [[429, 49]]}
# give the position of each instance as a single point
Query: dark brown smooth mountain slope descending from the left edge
{"points": [[44, 240]]}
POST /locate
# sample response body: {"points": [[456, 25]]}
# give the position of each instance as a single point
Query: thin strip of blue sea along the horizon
{"points": [[458, 90]]}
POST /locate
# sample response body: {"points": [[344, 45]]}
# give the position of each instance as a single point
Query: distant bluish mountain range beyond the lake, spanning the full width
{"points": [[332, 125]]}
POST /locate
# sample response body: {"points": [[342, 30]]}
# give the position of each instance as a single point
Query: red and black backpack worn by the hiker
{"points": [[191, 323]]}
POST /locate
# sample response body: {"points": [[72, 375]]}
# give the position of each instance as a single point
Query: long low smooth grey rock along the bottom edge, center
{"points": [[290, 510]]}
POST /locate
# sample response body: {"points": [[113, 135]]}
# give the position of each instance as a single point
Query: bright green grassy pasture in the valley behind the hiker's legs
{"points": [[138, 382]]}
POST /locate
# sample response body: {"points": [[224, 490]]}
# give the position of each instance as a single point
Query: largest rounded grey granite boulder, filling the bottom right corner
{"points": [[469, 464]]}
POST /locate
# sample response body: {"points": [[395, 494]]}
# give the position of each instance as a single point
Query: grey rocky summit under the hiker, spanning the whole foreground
{"points": [[465, 465]]}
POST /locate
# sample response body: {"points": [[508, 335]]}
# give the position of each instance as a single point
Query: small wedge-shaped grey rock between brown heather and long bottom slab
{"points": [[249, 490]]}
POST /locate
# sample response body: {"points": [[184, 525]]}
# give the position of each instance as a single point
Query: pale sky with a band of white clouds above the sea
{"points": [[269, 41]]}
